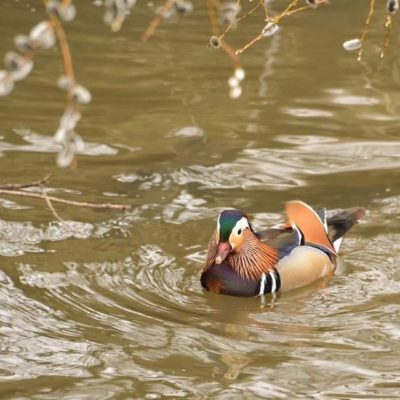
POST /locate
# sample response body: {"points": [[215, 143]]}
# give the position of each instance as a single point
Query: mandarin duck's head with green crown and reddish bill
{"points": [[232, 227]]}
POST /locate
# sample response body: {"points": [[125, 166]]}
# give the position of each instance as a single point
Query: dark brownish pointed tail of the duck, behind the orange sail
{"points": [[341, 222]]}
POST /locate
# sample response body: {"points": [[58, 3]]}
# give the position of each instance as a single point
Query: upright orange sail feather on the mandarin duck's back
{"points": [[310, 225]]}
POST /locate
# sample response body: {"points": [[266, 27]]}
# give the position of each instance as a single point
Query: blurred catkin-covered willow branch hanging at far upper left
{"points": [[18, 66]]}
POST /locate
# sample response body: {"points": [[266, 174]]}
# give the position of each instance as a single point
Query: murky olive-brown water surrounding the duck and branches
{"points": [[113, 309]]}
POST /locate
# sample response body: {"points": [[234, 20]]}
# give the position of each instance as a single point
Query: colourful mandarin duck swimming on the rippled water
{"points": [[242, 262]]}
